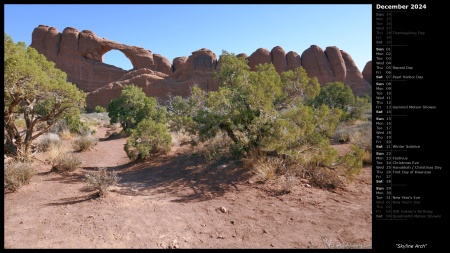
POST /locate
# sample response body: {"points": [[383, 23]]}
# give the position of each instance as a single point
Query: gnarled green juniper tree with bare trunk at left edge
{"points": [[38, 92]]}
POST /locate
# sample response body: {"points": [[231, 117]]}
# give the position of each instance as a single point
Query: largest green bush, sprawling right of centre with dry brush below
{"points": [[285, 116]]}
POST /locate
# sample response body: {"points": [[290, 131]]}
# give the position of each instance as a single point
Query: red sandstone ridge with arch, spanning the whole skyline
{"points": [[80, 55]]}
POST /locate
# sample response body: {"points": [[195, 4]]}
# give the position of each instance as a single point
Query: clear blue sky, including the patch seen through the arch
{"points": [[174, 30]]}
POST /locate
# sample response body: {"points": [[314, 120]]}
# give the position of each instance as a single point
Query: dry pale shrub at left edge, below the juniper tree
{"points": [[17, 174]]}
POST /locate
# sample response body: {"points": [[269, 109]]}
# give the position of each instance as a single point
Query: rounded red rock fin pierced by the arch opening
{"points": [[80, 55]]}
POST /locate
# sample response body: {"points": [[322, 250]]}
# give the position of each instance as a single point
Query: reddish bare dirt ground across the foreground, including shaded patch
{"points": [[174, 202]]}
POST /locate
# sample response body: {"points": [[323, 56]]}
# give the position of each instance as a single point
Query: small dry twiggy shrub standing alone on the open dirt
{"points": [[102, 180]]}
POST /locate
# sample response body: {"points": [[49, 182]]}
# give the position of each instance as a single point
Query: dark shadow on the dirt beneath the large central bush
{"points": [[185, 177]]}
